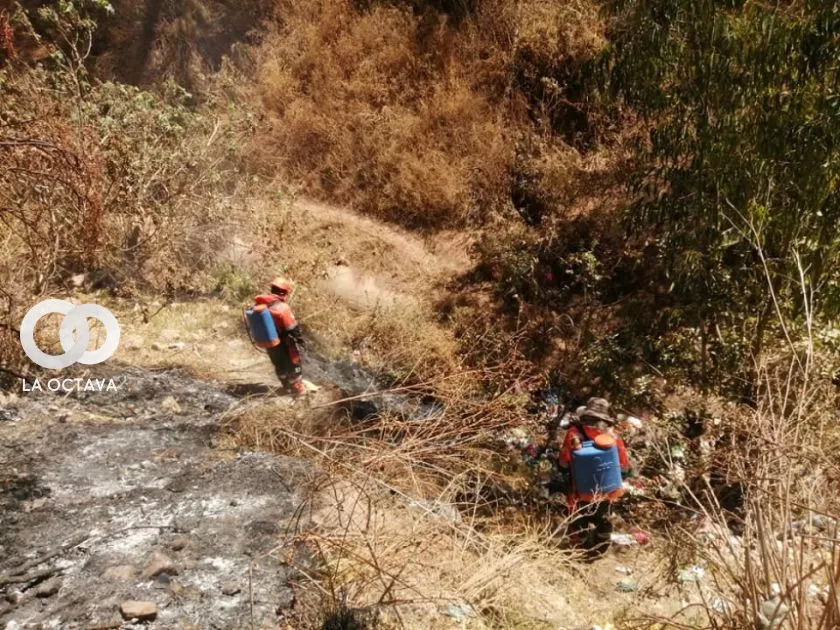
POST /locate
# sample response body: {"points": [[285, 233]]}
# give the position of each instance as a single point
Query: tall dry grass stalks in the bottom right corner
{"points": [[784, 571]]}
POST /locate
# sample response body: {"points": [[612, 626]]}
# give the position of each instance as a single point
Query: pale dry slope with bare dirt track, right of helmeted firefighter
{"points": [[398, 337]]}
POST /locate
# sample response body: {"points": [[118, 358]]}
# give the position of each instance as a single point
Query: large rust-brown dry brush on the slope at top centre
{"points": [[407, 113]]}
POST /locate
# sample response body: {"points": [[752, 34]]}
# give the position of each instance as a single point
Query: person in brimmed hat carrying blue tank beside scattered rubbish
{"points": [[595, 457]]}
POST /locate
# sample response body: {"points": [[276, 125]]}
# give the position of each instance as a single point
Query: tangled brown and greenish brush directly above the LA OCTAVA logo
{"points": [[108, 184]]}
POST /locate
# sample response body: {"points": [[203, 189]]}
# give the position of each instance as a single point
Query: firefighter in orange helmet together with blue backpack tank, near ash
{"points": [[273, 326]]}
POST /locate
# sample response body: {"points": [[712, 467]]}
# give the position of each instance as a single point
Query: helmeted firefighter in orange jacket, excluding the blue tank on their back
{"points": [[285, 350]]}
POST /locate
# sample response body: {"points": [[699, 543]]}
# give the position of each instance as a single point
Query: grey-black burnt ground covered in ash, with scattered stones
{"points": [[129, 479]]}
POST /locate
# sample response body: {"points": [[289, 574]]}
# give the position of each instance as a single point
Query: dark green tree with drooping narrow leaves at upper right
{"points": [[741, 108]]}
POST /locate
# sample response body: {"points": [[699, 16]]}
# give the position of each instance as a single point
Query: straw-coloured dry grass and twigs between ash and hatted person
{"points": [[392, 530]]}
